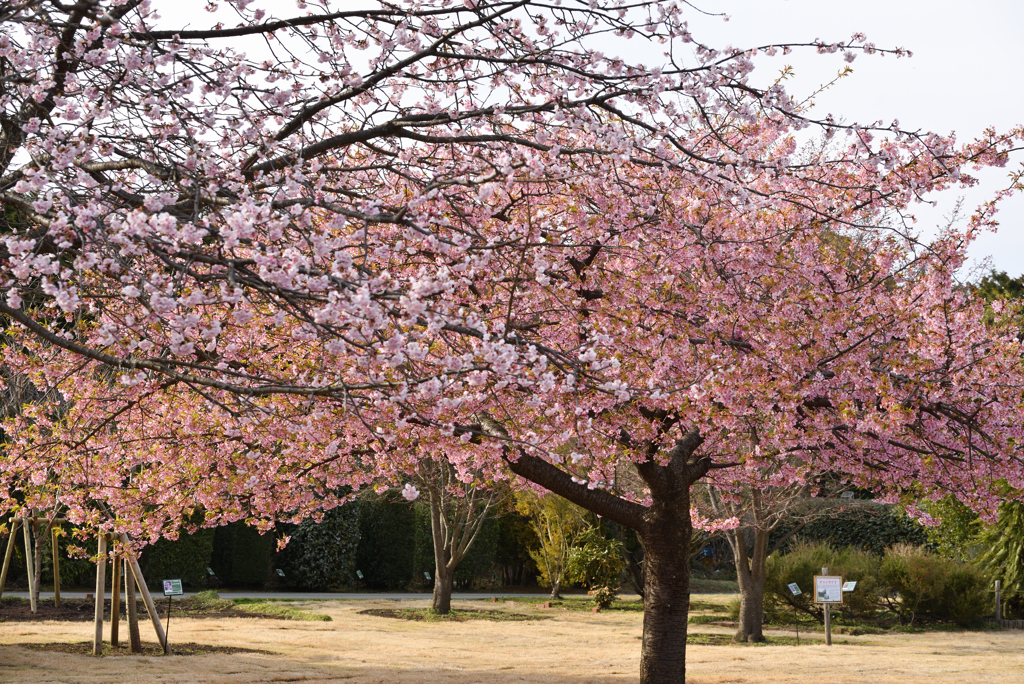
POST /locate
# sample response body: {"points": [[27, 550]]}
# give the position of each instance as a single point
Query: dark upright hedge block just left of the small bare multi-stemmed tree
{"points": [[388, 541]]}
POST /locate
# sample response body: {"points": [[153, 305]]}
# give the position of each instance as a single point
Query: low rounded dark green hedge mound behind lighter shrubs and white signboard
{"points": [[868, 527]]}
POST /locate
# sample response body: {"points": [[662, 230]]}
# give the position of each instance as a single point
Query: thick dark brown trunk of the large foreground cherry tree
{"points": [[666, 540]]}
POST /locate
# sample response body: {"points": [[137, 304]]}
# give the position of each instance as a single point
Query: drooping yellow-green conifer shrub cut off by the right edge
{"points": [[1003, 555]]}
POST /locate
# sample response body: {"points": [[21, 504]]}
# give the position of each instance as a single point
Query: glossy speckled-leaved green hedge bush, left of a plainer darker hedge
{"points": [[321, 557]]}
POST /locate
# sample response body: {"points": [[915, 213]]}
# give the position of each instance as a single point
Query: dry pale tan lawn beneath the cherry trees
{"points": [[570, 648]]}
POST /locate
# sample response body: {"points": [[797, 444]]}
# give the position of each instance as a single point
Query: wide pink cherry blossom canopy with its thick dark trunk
{"points": [[259, 281]]}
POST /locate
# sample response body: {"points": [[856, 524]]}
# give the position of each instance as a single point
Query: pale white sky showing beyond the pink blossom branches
{"points": [[966, 74]]}
